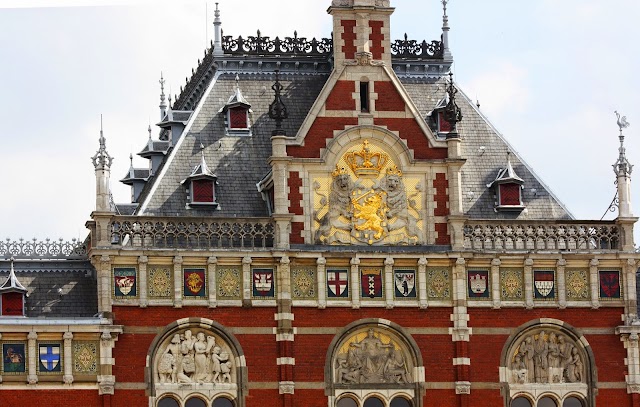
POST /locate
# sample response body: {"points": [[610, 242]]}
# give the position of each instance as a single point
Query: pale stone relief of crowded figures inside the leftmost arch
{"points": [[200, 358]]}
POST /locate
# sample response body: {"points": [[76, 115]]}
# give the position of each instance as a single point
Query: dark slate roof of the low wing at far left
{"points": [[42, 279]]}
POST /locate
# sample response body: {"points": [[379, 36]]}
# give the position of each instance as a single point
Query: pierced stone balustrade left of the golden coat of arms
{"points": [[192, 233]]}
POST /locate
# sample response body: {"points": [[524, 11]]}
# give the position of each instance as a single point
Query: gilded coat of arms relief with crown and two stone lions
{"points": [[367, 200]]}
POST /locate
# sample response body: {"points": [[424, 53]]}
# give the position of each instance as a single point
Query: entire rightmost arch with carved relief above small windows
{"points": [[553, 356]]}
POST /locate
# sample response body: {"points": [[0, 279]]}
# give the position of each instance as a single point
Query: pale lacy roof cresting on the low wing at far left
{"points": [[47, 249]]}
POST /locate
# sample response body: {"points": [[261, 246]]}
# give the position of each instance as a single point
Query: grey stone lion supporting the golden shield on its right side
{"points": [[398, 215]]}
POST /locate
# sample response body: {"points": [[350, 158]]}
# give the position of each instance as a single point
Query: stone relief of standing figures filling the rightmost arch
{"points": [[547, 358]]}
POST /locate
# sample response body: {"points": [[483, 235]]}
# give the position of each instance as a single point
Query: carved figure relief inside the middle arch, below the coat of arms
{"points": [[371, 360]]}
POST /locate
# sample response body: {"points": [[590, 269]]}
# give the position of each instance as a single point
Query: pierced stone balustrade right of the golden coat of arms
{"points": [[506, 235]]}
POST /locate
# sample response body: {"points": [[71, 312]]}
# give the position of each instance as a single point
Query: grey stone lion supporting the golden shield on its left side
{"points": [[339, 206]]}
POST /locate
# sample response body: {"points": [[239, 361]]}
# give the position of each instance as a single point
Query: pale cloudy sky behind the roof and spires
{"points": [[547, 73]]}
